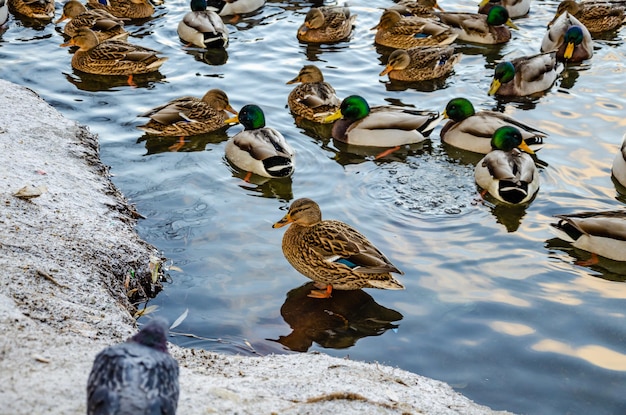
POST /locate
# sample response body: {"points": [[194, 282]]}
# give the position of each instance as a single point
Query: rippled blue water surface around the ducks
{"points": [[493, 305]]}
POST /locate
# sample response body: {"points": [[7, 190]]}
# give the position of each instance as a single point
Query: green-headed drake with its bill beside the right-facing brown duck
{"points": [[259, 149]]}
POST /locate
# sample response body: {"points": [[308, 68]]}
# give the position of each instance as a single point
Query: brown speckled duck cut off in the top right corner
{"points": [[597, 17]]}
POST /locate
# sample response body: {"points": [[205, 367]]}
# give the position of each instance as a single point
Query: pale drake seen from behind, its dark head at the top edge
{"points": [[203, 28]]}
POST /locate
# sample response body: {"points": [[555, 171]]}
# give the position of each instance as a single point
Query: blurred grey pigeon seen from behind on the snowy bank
{"points": [[137, 377]]}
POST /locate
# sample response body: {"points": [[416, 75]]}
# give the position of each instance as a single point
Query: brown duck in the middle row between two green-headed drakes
{"points": [[313, 99]]}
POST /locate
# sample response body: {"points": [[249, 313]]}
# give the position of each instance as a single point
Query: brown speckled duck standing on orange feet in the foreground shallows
{"points": [[332, 253]]}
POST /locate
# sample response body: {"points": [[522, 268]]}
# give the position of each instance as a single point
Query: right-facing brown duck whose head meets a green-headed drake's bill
{"points": [[187, 116]]}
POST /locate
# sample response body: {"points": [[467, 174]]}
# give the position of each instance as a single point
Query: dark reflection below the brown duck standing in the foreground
{"points": [[336, 322]]}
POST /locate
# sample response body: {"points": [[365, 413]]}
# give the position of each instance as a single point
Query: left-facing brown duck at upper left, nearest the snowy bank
{"points": [[111, 57]]}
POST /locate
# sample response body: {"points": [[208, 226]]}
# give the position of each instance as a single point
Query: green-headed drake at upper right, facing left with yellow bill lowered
{"points": [[525, 75]]}
